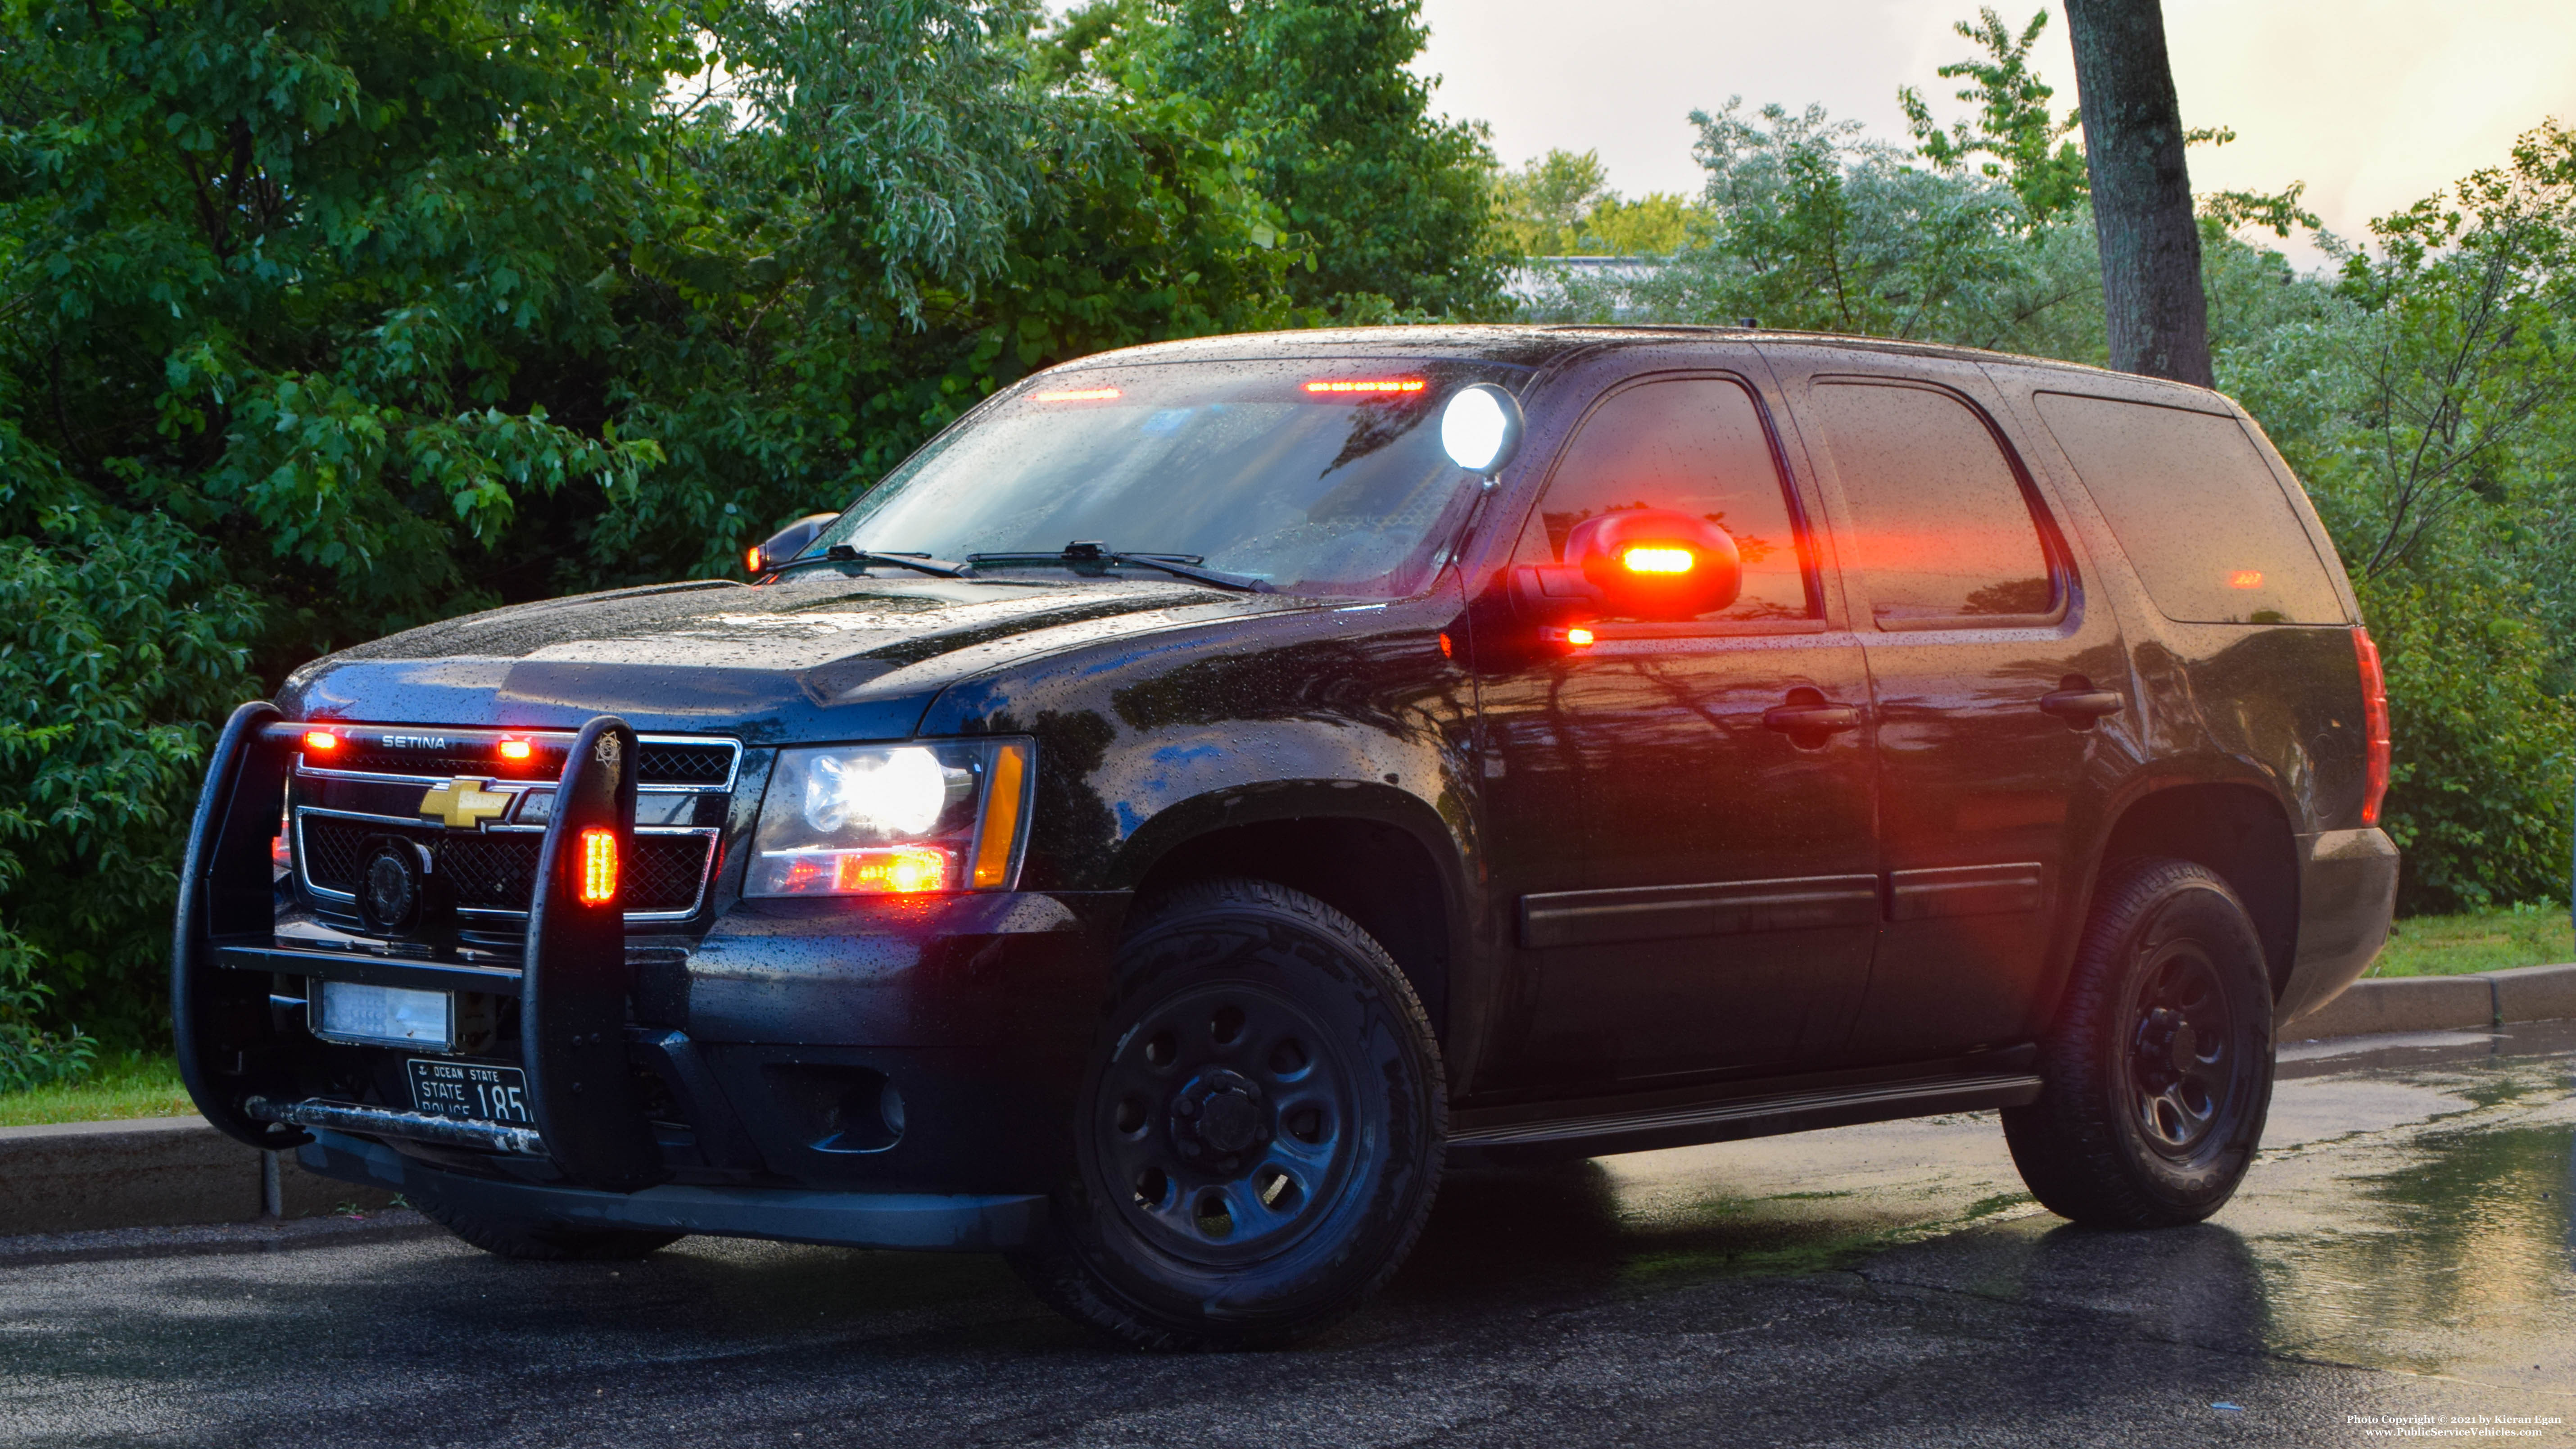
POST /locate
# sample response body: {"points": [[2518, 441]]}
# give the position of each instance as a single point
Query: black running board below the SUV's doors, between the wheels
{"points": [[1745, 1118]]}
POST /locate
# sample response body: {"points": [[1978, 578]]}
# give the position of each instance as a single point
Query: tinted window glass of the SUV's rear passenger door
{"points": [[1944, 525]]}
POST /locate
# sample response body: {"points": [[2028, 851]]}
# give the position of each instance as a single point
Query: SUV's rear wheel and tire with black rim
{"points": [[2160, 1066]]}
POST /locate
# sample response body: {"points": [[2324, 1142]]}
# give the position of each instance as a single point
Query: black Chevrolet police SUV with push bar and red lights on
{"points": [[1215, 785]]}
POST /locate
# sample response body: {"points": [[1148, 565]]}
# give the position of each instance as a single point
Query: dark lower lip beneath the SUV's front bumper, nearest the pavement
{"points": [[970, 1223]]}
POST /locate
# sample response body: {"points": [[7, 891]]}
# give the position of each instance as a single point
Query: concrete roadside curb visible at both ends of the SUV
{"points": [[169, 1172]]}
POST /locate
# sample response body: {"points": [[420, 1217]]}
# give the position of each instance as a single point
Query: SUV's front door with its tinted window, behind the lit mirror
{"points": [[1678, 816]]}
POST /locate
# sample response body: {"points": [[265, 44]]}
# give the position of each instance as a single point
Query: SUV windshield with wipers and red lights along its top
{"points": [[1302, 473]]}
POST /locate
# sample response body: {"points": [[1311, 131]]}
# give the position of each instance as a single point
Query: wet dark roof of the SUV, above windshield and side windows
{"points": [[1555, 342]]}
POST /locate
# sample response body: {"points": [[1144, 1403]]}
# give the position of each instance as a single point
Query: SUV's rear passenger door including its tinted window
{"points": [[1998, 690]]}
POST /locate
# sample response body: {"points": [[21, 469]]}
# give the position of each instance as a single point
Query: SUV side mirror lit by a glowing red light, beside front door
{"points": [[1637, 563]]}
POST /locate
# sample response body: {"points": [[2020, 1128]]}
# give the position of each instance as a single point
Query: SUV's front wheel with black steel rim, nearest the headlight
{"points": [[1258, 1136]]}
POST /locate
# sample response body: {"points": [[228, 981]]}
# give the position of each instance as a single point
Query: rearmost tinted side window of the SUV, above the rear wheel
{"points": [[2196, 509]]}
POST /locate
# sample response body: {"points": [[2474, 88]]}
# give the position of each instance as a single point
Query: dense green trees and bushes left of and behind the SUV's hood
{"points": [[336, 316]]}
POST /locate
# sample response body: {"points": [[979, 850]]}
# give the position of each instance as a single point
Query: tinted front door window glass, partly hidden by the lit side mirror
{"points": [[1699, 447]]}
